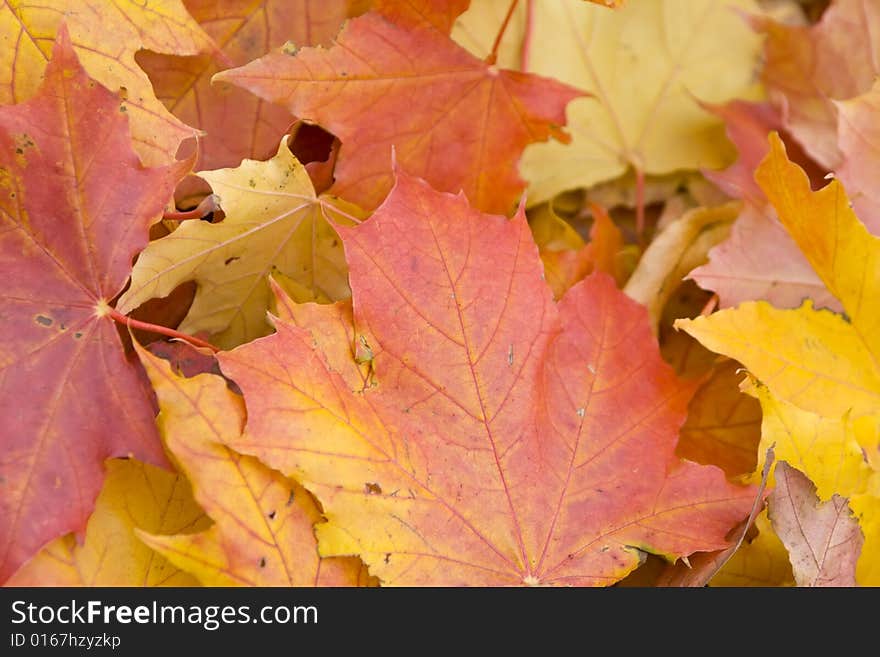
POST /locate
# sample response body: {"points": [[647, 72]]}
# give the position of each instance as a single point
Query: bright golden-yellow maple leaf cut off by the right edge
{"points": [[822, 354]]}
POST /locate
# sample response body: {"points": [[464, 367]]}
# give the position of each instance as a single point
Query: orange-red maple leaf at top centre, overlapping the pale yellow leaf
{"points": [[371, 91]]}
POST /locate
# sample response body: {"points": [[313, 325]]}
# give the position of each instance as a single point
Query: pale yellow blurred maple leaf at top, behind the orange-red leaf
{"points": [[646, 67]]}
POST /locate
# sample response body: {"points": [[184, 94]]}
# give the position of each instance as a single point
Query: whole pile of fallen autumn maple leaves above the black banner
{"points": [[439, 292]]}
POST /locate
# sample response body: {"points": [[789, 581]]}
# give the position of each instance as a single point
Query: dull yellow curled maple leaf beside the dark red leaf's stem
{"points": [[275, 223]]}
